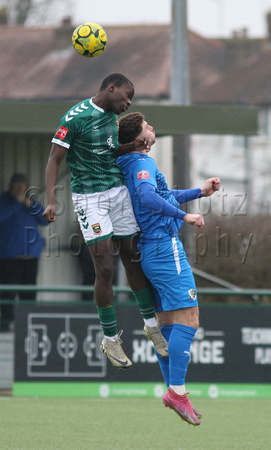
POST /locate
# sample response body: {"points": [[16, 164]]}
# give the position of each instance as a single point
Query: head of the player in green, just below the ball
{"points": [[117, 92]]}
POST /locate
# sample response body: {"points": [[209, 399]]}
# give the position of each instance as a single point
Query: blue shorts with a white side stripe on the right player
{"points": [[165, 265]]}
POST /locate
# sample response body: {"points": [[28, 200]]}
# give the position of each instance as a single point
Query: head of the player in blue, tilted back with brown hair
{"points": [[133, 126]]}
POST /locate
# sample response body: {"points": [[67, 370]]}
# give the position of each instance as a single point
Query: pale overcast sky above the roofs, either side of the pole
{"points": [[207, 17]]}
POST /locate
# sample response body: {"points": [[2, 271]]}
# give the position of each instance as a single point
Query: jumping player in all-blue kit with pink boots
{"points": [[163, 258]]}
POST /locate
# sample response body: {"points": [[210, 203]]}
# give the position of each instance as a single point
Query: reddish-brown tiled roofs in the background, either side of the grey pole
{"points": [[41, 64]]}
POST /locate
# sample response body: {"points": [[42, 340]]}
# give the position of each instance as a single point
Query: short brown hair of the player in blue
{"points": [[130, 126]]}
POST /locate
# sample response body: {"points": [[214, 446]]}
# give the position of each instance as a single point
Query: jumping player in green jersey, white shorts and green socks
{"points": [[88, 137]]}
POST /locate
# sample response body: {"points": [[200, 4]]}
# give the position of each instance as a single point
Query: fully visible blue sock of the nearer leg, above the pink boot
{"points": [[179, 352]]}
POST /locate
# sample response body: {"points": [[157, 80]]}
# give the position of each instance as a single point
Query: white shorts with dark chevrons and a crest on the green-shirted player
{"points": [[105, 214]]}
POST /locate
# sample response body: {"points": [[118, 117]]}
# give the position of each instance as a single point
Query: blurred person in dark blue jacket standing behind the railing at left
{"points": [[20, 243]]}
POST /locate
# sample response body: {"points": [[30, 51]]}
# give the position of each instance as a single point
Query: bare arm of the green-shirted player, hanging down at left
{"points": [[55, 158]]}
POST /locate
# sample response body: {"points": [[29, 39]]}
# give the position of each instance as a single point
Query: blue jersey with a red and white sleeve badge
{"points": [[138, 168]]}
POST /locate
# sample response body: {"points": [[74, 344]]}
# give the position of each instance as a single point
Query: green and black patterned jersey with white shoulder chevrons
{"points": [[90, 136]]}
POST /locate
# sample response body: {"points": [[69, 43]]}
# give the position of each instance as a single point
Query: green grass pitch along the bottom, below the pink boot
{"points": [[105, 424]]}
